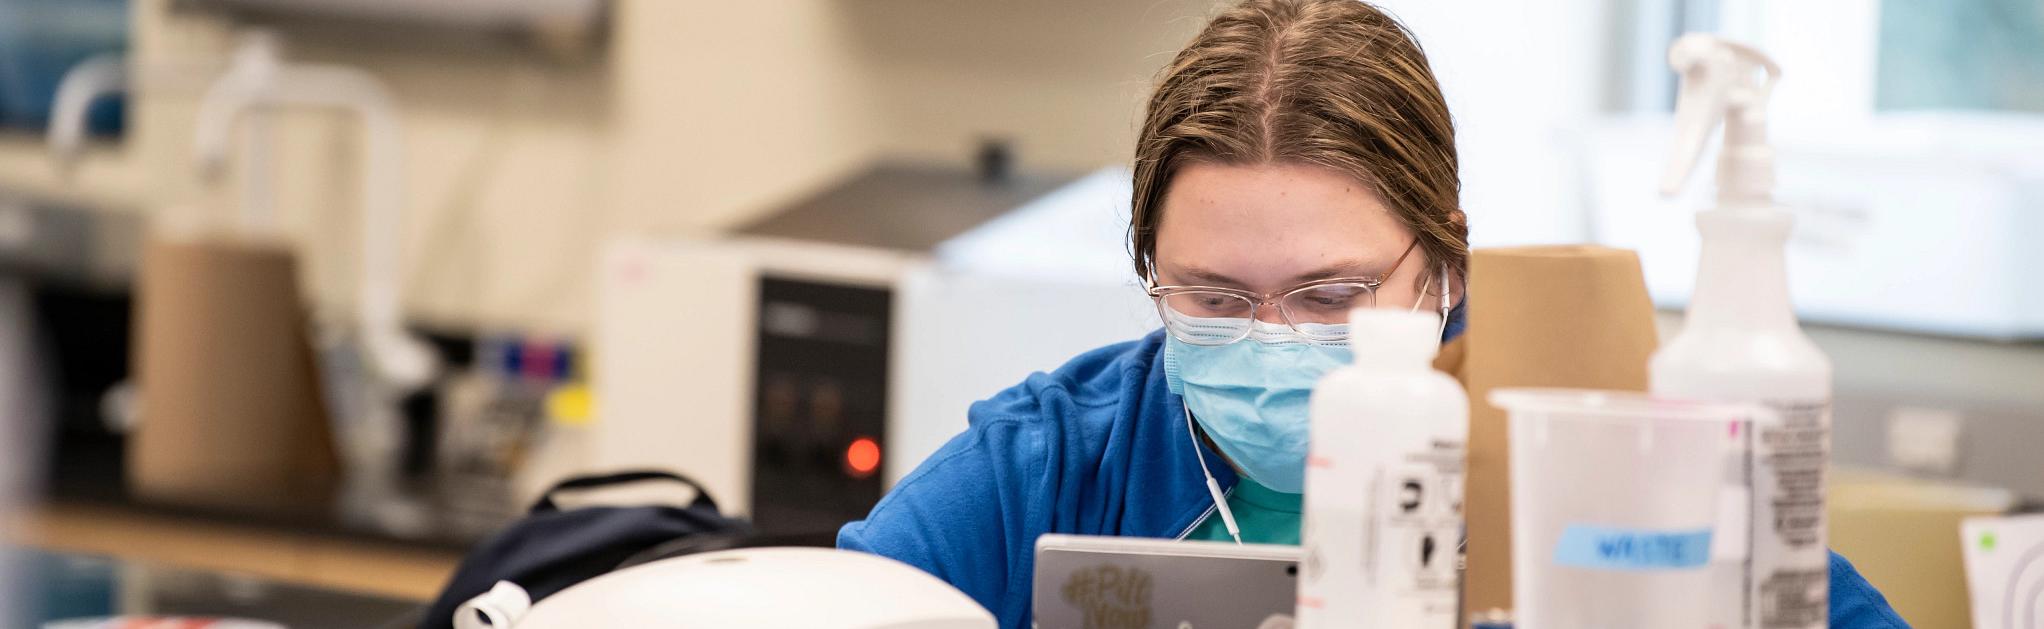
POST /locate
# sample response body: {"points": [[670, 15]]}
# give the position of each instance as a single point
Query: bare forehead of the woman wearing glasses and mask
{"points": [[1272, 222]]}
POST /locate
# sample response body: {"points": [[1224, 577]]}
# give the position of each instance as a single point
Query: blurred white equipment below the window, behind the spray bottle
{"points": [[1910, 222]]}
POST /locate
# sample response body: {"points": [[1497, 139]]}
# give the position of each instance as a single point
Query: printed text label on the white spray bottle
{"points": [[1792, 565]]}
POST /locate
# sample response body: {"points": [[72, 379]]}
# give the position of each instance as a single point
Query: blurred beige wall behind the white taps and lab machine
{"points": [[698, 117]]}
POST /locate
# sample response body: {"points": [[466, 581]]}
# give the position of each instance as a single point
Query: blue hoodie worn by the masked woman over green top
{"points": [[1095, 448]]}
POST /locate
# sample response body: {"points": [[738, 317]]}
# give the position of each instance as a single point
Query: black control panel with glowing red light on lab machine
{"points": [[821, 405]]}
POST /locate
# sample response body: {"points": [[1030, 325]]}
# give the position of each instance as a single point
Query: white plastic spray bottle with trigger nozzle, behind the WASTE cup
{"points": [[1740, 342]]}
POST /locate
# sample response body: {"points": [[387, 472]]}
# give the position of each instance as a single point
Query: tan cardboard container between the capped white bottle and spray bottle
{"points": [[1573, 318]]}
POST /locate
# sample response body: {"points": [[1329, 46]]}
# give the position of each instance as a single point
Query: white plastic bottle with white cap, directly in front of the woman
{"points": [[1383, 514]]}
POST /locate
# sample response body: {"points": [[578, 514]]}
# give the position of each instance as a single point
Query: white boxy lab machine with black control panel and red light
{"points": [[806, 362]]}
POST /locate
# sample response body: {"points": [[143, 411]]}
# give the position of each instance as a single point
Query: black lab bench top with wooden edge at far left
{"points": [[400, 542]]}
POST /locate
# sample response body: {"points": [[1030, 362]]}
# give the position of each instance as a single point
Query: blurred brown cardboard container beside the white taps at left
{"points": [[232, 414]]}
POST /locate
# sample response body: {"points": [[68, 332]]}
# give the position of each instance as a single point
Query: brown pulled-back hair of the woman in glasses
{"points": [[1326, 83]]}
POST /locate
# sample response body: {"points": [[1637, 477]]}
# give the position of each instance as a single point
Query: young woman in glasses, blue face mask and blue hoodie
{"points": [[1297, 162]]}
